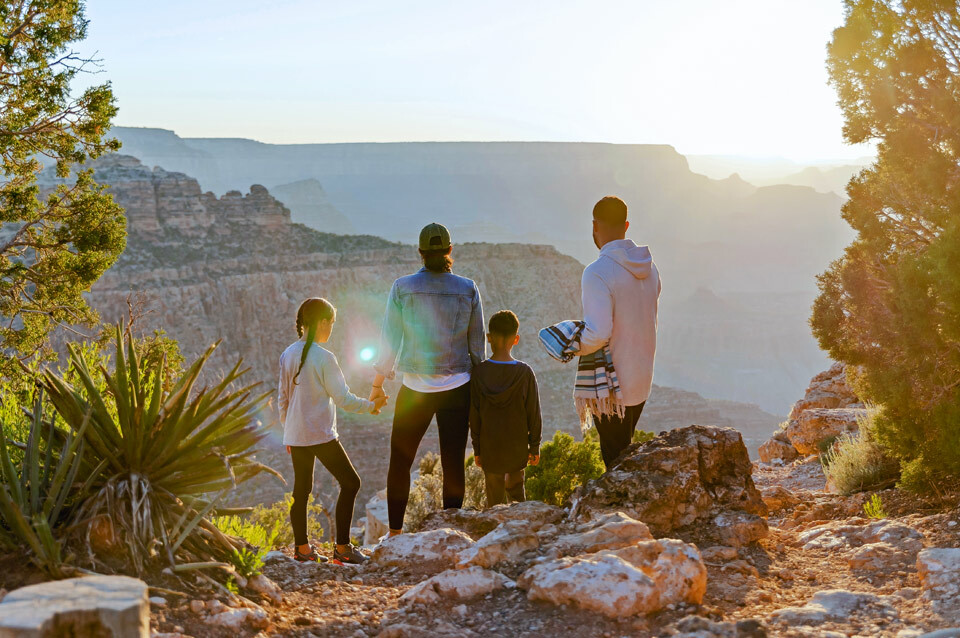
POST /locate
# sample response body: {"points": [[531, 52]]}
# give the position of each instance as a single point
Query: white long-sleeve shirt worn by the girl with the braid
{"points": [[308, 410]]}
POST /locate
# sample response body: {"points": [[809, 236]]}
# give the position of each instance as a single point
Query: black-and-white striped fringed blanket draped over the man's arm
{"points": [[597, 391]]}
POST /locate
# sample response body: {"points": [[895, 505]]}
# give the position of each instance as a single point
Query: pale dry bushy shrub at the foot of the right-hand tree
{"points": [[855, 462]]}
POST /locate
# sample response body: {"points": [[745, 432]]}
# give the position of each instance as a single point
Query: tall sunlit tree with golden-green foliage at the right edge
{"points": [[891, 304]]}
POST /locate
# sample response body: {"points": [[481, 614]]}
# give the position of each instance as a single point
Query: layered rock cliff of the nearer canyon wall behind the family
{"points": [[235, 268]]}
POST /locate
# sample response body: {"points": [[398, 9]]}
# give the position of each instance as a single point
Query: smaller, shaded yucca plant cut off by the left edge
{"points": [[38, 497]]}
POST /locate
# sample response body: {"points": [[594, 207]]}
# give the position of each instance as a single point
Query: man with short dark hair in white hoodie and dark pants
{"points": [[620, 291]]}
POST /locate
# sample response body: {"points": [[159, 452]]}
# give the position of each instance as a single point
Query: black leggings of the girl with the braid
{"points": [[335, 459]]}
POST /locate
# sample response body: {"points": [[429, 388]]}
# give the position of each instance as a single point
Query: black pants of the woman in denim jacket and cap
{"points": [[411, 419]]}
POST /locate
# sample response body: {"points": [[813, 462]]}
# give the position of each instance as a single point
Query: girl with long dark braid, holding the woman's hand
{"points": [[310, 389]]}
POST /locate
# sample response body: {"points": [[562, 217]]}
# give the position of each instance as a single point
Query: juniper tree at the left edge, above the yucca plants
{"points": [[53, 246]]}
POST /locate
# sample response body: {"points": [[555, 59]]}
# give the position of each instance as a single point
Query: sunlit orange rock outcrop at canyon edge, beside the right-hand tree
{"points": [[828, 409]]}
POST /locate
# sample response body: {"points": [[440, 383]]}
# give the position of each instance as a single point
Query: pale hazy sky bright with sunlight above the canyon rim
{"points": [[735, 77]]}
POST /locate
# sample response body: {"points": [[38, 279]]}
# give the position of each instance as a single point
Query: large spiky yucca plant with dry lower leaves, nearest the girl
{"points": [[165, 451]]}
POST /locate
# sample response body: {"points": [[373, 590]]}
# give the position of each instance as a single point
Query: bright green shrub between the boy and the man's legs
{"points": [[565, 464]]}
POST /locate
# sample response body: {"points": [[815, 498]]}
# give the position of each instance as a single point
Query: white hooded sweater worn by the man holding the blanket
{"points": [[620, 293]]}
